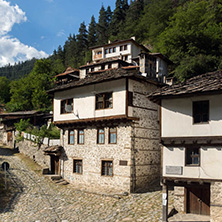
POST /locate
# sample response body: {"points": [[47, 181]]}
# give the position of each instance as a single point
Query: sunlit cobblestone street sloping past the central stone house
{"points": [[37, 199]]}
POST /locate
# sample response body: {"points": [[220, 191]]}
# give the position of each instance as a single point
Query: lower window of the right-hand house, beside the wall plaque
{"points": [[193, 156]]}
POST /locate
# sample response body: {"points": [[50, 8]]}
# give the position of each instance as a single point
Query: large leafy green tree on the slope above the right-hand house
{"points": [[193, 38]]}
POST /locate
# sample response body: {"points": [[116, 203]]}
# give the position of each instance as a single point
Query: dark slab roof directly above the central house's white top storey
{"points": [[108, 75]]}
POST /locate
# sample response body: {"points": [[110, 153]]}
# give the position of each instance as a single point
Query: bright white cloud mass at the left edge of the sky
{"points": [[11, 49]]}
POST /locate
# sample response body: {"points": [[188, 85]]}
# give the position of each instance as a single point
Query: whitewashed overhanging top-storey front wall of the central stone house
{"points": [[84, 101]]}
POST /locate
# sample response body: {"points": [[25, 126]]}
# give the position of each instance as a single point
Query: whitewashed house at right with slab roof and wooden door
{"points": [[191, 137]]}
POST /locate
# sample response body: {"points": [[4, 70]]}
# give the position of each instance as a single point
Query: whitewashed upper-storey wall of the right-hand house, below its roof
{"points": [[177, 120]]}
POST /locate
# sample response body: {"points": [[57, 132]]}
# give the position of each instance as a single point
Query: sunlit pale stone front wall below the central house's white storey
{"points": [[92, 154]]}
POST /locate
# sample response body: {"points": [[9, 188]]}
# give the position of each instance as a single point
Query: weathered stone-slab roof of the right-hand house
{"points": [[208, 83]]}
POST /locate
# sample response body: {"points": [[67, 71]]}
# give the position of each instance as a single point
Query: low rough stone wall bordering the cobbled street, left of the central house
{"points": [[32, 150]]}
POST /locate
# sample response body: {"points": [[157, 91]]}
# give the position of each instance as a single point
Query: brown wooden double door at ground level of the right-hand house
{"points": [[198, 199]]}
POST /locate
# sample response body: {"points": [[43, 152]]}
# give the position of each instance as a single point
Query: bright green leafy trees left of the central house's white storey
{"points": [[29, 92]]}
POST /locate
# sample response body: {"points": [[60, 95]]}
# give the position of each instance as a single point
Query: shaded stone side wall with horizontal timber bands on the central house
{"points": [[147, 153]]}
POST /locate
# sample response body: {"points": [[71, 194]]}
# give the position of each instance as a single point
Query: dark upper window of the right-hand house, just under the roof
{"points": [[200, 112]]}
